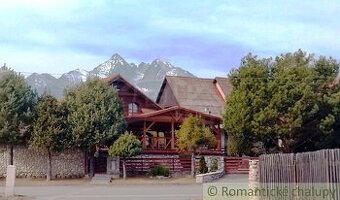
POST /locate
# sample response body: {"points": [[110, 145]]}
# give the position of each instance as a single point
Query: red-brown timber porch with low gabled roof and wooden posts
{"points": [[156, 130]]}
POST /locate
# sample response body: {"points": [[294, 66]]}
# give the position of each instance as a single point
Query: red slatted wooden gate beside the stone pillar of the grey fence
{"points": [[237, 165]]}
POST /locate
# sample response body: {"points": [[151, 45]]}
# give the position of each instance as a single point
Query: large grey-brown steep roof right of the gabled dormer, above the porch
{"points": [[199, 94]]}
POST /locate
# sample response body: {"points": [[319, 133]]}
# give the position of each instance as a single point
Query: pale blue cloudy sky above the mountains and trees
{"points": [[207, 38]]}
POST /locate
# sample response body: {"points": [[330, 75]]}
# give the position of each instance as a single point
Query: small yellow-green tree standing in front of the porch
{"points": [[192, 135]]}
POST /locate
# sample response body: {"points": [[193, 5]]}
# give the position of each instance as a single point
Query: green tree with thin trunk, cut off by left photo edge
{"points": [[16, 103]]}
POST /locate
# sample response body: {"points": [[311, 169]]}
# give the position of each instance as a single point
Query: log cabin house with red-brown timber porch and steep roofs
{"points": [[154, 123]]}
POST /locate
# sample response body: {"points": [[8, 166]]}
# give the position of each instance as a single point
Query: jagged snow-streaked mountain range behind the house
{"points": [[147, 77]]}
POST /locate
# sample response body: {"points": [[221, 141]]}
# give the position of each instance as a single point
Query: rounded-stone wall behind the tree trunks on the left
{"points": [[33, 163]]}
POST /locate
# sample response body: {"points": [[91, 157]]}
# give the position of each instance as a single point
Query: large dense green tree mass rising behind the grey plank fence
{"points": [[278, 101]]}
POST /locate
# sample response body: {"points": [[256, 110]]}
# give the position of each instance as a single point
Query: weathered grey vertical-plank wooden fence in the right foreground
{"points": [[320, 169]]}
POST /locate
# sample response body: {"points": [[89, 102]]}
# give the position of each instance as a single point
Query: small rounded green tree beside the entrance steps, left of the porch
{"points": [[127, 145]]}
